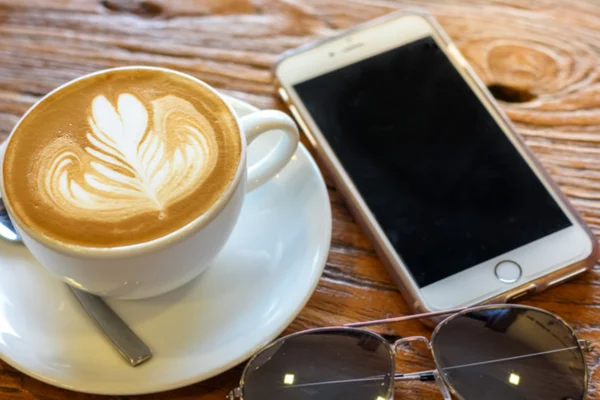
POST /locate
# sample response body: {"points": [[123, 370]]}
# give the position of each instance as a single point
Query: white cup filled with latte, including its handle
{"points": [[128, 182]]}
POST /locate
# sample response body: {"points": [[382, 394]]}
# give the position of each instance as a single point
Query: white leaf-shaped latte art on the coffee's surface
{"points": [[131, 160]]}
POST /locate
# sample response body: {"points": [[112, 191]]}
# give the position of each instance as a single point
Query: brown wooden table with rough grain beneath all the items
{"points": [[541, 57]]}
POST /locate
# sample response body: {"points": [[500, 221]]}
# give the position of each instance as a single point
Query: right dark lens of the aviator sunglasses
{"points": [[510, 353]]}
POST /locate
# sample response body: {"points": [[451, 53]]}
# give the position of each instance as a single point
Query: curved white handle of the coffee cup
{"points": [[256, 124]]}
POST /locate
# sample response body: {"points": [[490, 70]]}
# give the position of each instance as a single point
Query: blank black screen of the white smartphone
{"points": [[442, 179]]}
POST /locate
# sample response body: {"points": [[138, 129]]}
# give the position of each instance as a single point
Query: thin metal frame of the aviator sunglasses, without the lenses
{"points": [[436, 374]]}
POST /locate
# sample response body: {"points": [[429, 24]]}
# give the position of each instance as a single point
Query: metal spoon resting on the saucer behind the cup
{"points": [[131, 347]]}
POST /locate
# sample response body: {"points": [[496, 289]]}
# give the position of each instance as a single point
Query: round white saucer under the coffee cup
{"points": [[256, 287]]}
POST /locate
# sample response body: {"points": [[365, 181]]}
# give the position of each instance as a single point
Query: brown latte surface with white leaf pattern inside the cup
{"points": [[120, 158]]}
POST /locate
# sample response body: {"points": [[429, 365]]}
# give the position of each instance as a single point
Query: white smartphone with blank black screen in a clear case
{"points": [[455, 204]]}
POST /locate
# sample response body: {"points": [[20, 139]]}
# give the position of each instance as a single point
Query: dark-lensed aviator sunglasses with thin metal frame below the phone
{"points": [[495, 352]]}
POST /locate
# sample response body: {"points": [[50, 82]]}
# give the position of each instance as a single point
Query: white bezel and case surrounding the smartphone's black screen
{"points": [[551, 257]]}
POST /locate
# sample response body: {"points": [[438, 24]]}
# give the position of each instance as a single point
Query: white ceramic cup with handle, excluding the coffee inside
{"points": [[161, 265]]}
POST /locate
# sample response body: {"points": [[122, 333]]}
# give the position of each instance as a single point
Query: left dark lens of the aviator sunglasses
{"points": [[322, 365]]}
